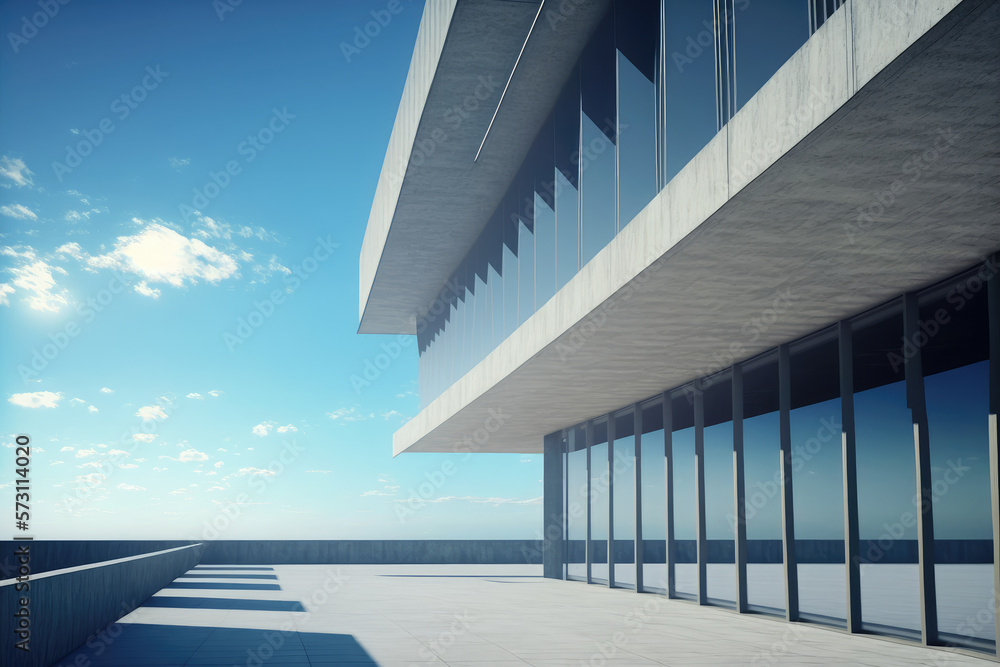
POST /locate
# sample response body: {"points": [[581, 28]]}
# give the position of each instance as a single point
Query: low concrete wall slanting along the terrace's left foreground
{"points": [[67, 608]]}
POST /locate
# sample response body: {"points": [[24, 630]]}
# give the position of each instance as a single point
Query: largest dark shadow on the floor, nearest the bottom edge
{"points": [[168, 645]]}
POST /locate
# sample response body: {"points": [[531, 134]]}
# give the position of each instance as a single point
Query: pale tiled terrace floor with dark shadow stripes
{"points": [[411, 616]]}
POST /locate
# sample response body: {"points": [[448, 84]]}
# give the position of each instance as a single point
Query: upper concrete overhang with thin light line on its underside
{"points": [[433, 196]]}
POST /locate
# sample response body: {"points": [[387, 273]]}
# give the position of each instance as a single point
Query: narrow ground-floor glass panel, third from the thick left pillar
{"points": [[623, 469]]}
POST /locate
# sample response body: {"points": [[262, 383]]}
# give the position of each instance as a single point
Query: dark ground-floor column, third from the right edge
{"points": [[850, 468]]}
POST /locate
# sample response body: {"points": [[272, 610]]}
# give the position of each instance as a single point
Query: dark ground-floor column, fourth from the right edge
{"points": [[787, 506]]}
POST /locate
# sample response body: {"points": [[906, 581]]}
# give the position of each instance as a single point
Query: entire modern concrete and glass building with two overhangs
{"points": [[732, 266]]}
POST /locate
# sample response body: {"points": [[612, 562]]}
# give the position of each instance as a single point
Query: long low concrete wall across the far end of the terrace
{"points": [[376, 552]]}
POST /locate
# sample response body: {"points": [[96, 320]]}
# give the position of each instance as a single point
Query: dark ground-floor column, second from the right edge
{"points": [[916, 401]]}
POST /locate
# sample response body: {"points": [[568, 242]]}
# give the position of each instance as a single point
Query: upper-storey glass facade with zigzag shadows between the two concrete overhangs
{"points": [[654, 84]]}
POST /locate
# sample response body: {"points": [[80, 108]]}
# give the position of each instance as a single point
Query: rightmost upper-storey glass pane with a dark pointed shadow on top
{"points": [[637, 33]]}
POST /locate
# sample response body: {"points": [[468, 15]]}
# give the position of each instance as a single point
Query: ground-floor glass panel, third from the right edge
{"points": [[818, 480]]}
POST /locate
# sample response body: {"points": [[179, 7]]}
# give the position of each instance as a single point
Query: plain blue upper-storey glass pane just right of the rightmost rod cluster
{"points": [[767, 34]]}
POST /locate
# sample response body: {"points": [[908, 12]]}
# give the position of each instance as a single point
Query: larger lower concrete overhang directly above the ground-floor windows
{"points": [[866, 167]]}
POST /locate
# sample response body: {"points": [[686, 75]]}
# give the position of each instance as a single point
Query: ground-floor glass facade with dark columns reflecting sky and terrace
{"points": [[876, 380]]}
